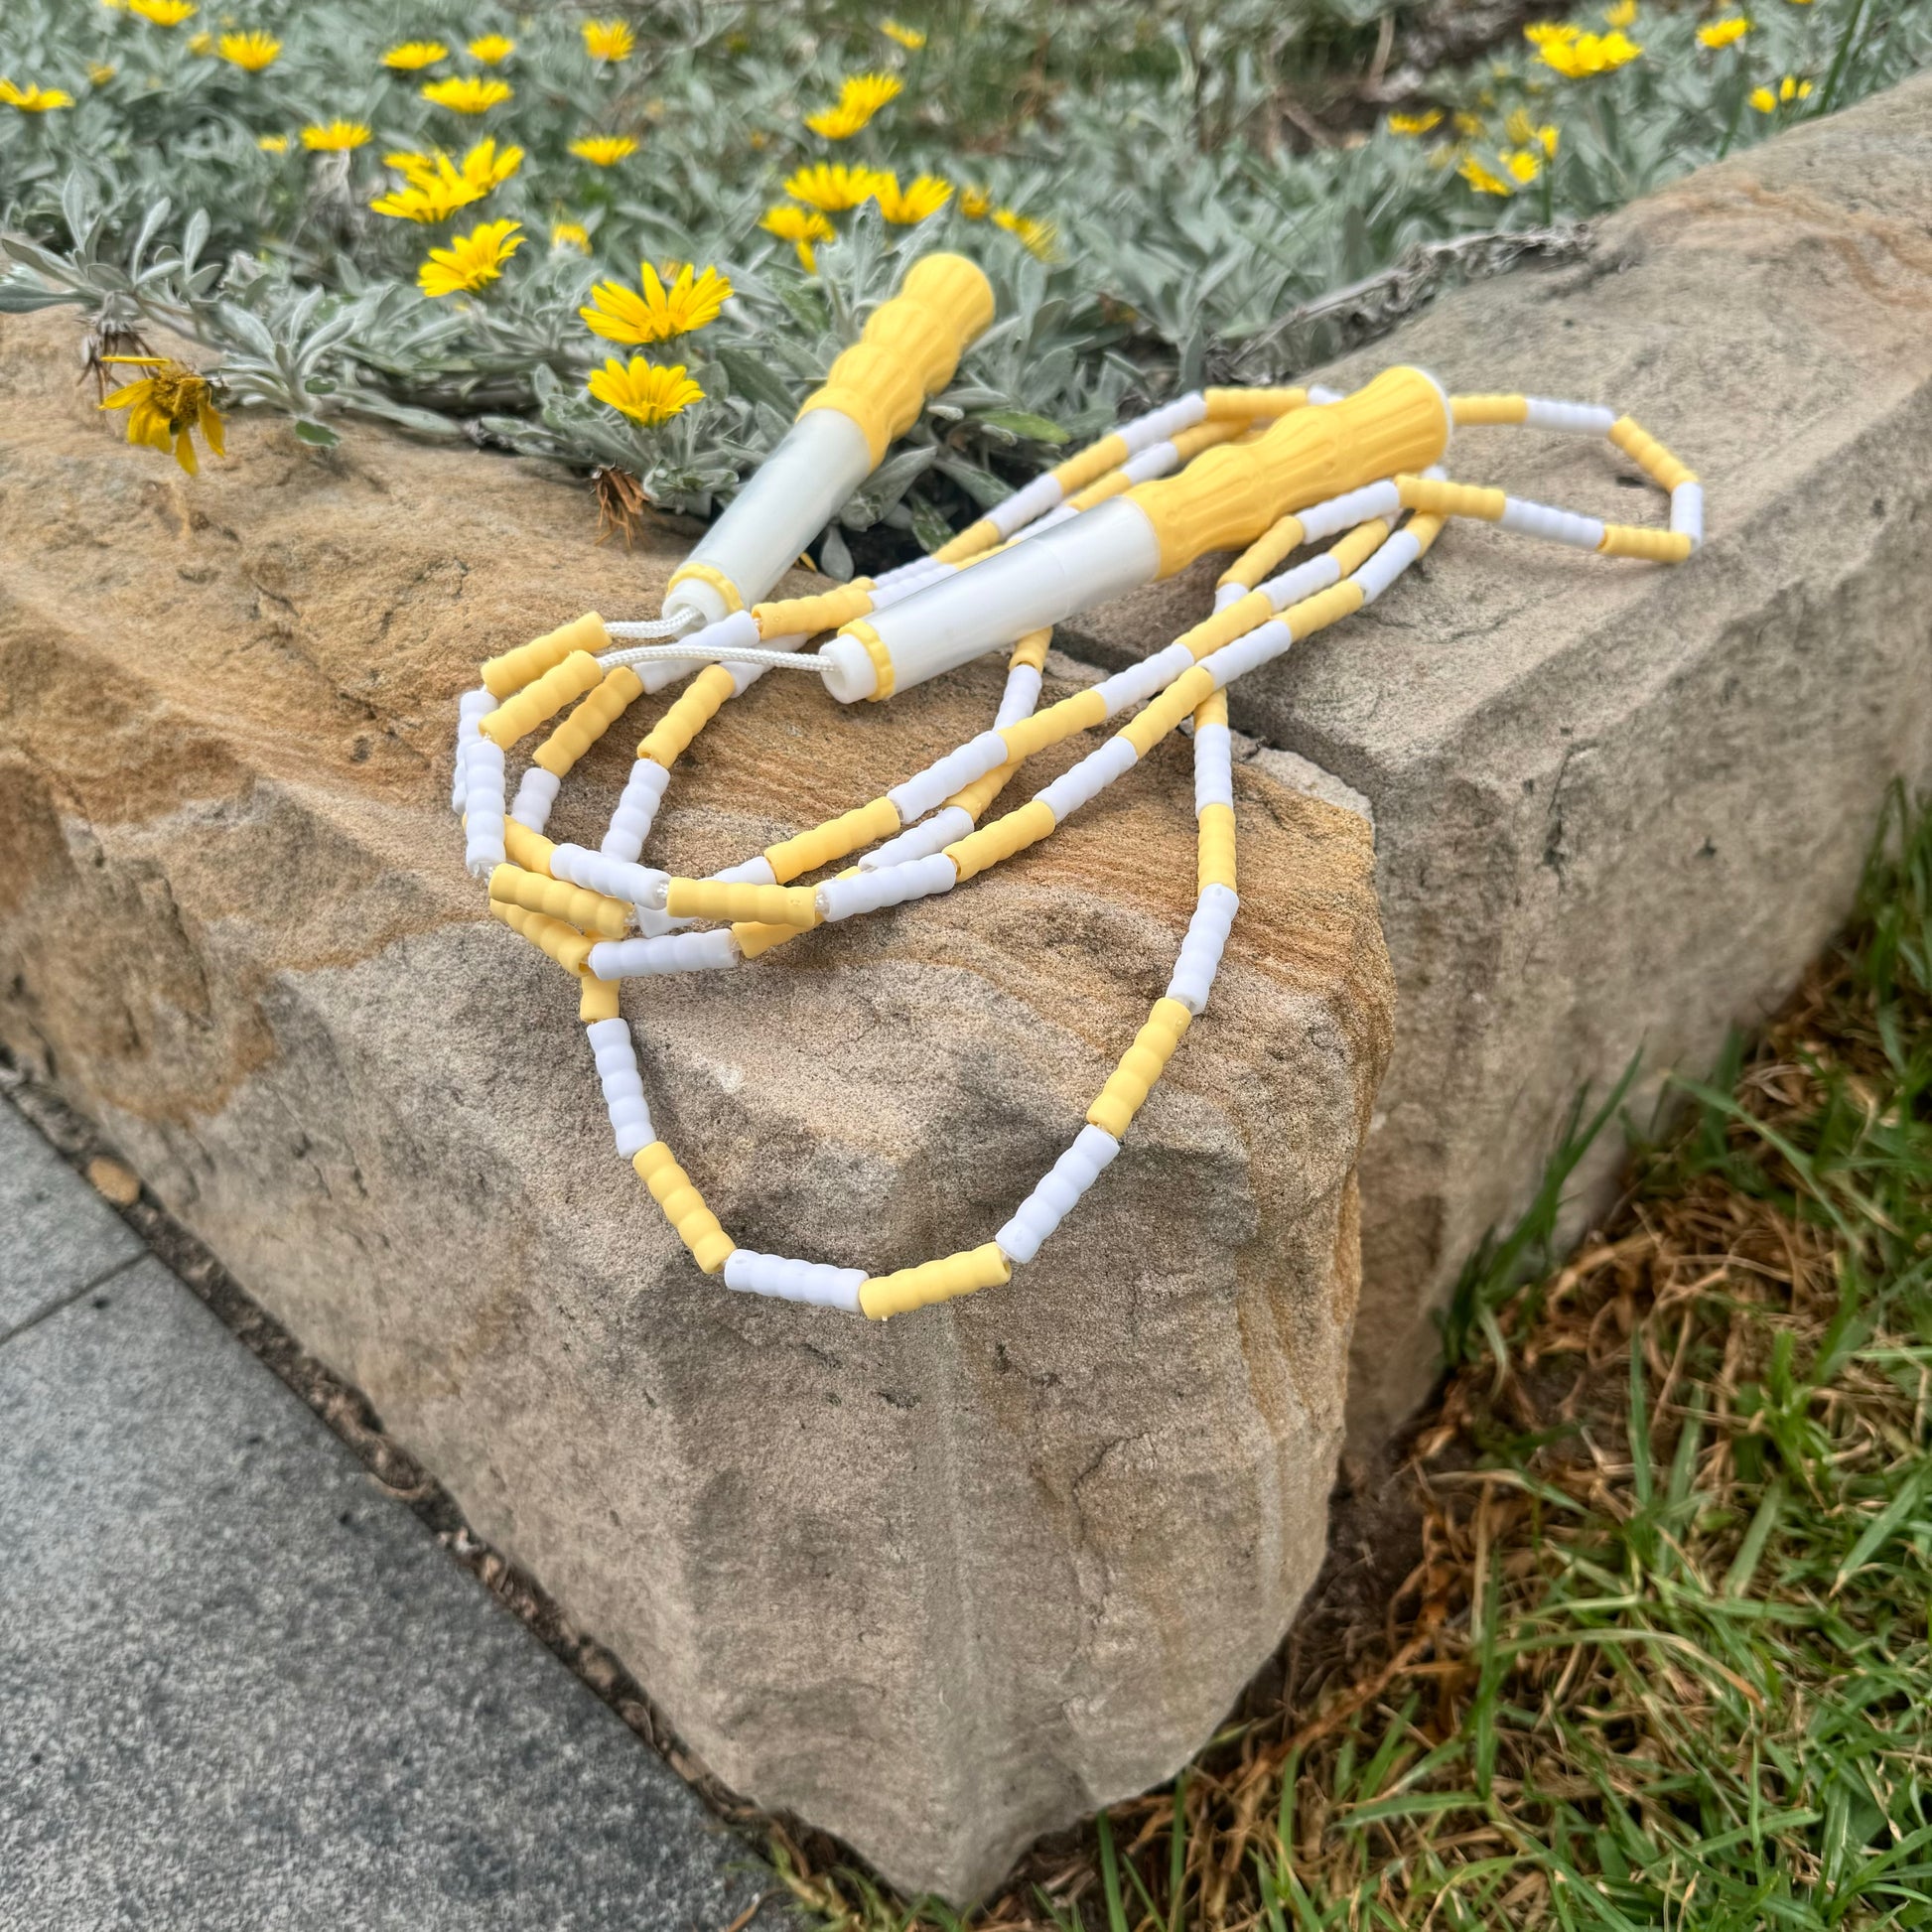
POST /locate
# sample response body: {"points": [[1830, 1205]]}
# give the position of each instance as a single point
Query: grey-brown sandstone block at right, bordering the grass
{"points": [[1622, 807]]}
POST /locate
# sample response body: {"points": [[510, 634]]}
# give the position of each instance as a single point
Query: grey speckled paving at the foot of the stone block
{"points": [[244, 1690]]}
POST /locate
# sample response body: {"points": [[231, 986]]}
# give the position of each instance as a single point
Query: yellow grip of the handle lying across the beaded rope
{"points": [[1230, 496]]}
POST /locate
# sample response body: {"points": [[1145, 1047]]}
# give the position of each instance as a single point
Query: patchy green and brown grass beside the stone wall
{"points": [[1664, 1653]]}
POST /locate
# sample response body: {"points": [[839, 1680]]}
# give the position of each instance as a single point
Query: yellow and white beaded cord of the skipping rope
{"points": [[604, 917]]}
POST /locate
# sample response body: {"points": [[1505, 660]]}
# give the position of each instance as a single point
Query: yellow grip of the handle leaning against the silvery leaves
{"points": [[909, 351]]}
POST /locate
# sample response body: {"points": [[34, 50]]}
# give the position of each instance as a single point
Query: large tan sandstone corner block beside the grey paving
{"points": [[936, 1585]]}
